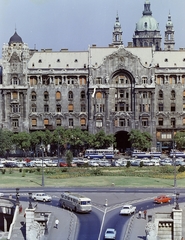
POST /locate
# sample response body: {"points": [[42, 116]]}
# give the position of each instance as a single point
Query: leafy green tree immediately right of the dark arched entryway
{"points": [[140, 140]]}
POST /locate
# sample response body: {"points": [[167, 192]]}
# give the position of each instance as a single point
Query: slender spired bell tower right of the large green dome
{"points": [[169, 41]]}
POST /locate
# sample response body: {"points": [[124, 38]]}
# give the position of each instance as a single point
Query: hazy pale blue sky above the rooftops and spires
{"points": [[75, 24]]}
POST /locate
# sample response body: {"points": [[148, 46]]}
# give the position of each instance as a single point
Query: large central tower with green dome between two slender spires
{"points": [[147, 30]]}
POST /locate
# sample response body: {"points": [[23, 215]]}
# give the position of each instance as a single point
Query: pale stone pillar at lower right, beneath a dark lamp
{"points": [[177, 224]]}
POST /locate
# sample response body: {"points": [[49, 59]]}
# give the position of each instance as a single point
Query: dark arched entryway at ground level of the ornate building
{"points": [[122, 141]]}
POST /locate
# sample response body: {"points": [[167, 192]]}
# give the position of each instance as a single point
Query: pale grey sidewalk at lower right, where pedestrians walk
{"points": [[136, 227]]}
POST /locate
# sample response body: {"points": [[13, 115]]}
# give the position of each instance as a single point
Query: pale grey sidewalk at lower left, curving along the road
{"points": [[66, 227]]}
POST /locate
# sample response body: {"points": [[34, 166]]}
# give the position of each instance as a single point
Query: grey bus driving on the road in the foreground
{"points": [[75, 202]]}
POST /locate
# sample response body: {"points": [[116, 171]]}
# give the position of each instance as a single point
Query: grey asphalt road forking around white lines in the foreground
{"points": [[93, 225]]}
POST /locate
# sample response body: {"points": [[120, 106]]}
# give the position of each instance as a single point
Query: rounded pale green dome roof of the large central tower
{"points": [[147, 23]]}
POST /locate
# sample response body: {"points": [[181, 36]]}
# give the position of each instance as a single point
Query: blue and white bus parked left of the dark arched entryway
{"points": [[100, 153]]}
